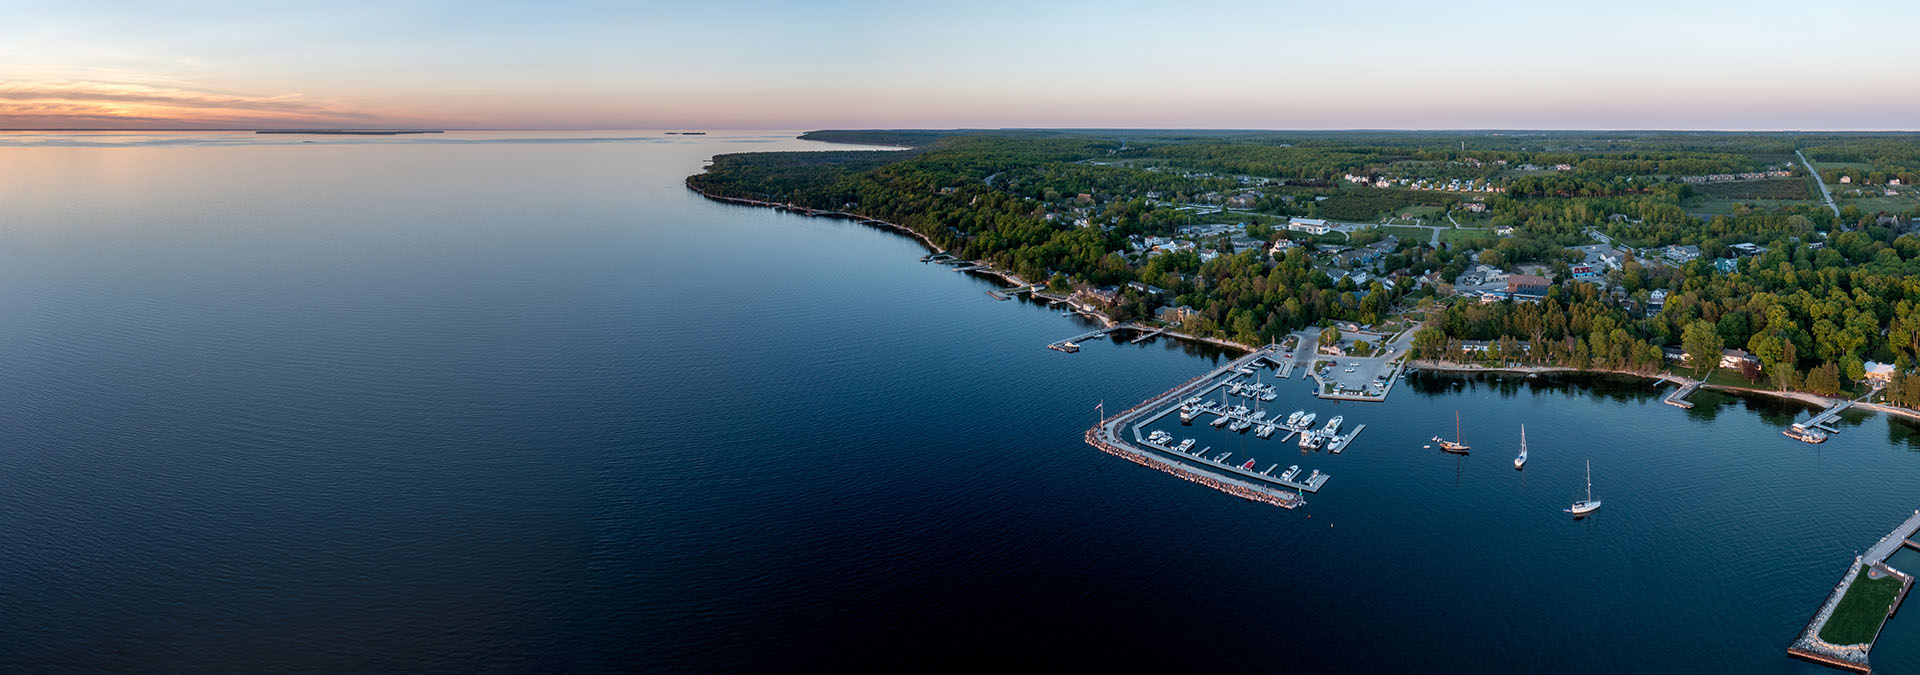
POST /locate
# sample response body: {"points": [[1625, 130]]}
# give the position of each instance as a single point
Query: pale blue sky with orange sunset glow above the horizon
{"points": [[721, 64]]}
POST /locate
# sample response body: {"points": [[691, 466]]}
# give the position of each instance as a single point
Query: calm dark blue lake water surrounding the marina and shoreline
{"points": [[523, 404]]}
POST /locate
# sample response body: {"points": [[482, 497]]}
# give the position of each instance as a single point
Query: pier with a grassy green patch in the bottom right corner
{"points": [[1850, 653]]}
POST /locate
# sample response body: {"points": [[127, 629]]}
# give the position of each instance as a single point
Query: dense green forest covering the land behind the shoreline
{"points": [[1072, 206]]}
